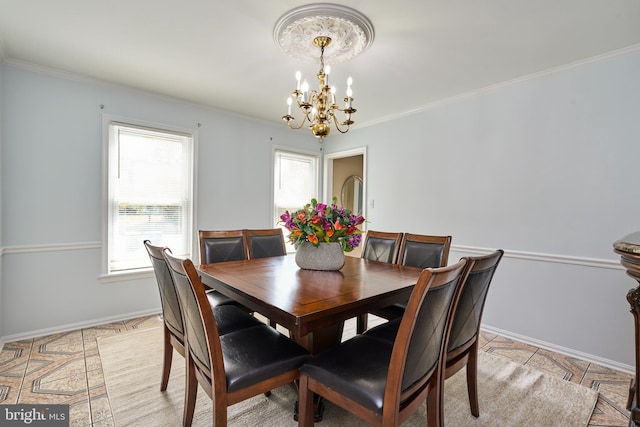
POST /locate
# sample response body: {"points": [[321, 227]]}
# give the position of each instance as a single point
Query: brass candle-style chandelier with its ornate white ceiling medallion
{"points": [[338, 31]]}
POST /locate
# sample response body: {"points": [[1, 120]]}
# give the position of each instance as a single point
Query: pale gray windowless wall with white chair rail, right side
{"points": [[545, 168]]}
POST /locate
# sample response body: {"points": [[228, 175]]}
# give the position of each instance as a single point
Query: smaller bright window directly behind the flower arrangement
{"points": [[295, 183]]}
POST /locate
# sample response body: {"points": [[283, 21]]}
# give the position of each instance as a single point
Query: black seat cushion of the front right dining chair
{"points": [[357, 369]]}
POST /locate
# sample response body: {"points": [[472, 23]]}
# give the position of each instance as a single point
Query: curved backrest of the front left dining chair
{"points": [[201, 340]]}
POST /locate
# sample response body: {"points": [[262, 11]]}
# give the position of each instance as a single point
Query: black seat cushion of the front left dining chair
{"points": [[258, 353]]}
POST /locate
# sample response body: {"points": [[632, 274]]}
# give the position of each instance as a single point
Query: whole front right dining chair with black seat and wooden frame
{"points": [[384, 382]]}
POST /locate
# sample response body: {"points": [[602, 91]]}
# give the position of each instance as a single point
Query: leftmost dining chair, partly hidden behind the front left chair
{"points": [[172, 313]]}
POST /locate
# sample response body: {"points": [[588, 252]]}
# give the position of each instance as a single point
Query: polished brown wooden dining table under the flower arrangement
{"points": [[312, 305]]}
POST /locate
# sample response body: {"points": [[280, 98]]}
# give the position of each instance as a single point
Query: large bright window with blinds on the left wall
{"points": [[150, 193]]}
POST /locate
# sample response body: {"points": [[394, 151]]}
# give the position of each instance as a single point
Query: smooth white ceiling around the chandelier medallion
{"points": [[222, 53]]}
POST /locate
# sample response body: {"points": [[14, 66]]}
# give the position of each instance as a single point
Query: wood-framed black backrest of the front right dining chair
{"points": [[418, 352]]}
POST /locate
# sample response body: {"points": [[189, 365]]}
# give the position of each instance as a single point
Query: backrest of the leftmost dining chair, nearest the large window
{"points": [[171, 312]]}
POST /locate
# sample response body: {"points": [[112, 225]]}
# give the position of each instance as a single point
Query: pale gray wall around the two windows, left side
{"points": [[52, 192]]}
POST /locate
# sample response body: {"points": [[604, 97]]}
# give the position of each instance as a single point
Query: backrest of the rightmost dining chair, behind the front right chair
{"points": [[466, 320]]}
